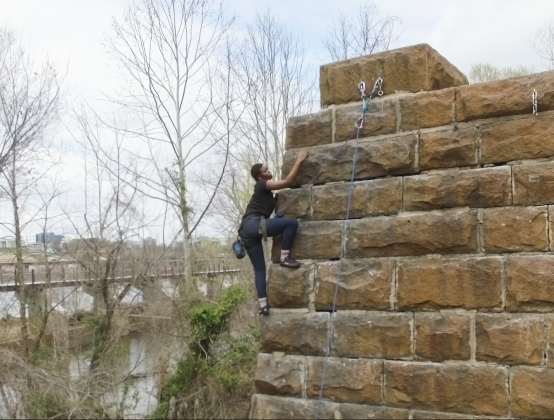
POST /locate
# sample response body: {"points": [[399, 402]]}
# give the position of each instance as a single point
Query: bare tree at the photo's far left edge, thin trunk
{"points": [[29, 103]]}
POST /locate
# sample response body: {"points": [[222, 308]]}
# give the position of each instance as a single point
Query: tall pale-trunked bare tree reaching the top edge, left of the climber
{"points": [[165, 48]]}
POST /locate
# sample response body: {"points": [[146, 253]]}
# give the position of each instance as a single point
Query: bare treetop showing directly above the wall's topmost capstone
{"points": [[362, 34]]}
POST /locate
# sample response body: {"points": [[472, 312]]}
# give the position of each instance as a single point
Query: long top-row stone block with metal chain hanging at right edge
{"points": [[504, 97]]}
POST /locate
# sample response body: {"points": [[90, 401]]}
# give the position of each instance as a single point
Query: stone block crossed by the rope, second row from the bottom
{"points": [[346, 380]]}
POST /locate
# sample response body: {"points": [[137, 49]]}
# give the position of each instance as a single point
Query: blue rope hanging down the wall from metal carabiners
{"points": [[359, 125]]}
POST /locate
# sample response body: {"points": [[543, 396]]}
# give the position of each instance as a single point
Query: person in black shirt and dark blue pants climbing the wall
{"points": [[261, 204]]}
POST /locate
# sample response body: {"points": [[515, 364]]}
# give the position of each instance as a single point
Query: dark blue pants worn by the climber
{"points": [[252, 241]]}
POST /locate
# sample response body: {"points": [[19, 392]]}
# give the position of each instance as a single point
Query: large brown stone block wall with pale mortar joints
{"points": [[446, 301]]}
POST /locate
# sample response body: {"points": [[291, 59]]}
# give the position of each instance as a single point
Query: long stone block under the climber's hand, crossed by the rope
{"points": [[391, 156]]}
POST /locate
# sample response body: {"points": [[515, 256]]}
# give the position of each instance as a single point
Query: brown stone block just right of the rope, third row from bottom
{"points": [[375, 335]]}
